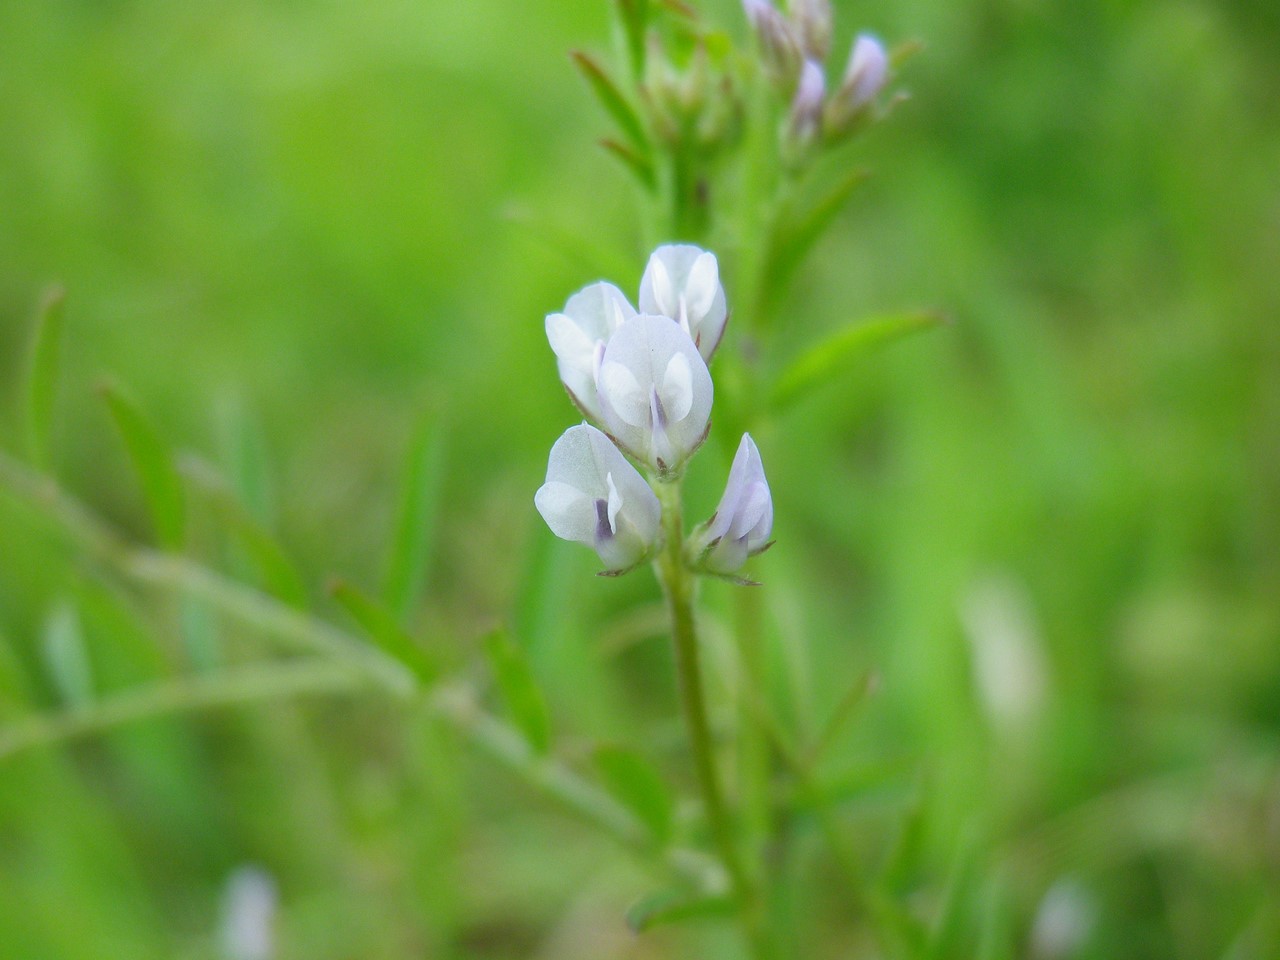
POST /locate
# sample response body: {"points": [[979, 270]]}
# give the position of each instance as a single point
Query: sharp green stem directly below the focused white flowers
{"points": [[678, 583]]}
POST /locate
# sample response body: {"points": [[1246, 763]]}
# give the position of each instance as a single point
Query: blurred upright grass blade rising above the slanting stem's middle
{"points": [[414, 537]]}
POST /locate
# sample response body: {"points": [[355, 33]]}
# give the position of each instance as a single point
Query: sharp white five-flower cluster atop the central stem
{"points": [[642, 381]]}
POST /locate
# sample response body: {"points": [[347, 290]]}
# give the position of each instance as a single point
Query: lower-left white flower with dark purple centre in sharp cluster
{"points": [[593, 496]]}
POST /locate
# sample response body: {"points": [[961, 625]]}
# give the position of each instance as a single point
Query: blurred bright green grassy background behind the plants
{"points": [[296, 230]]}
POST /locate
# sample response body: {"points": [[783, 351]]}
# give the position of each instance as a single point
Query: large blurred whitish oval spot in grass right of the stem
{"points": [[1008, 653]]}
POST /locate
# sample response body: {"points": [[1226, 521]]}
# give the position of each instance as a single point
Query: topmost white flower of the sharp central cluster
{"points": [[683, 282]]}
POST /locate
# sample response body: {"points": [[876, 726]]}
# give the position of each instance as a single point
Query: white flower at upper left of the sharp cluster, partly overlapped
{"points": [[578, 337]]}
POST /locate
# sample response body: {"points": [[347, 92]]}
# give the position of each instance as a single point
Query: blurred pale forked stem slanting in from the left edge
{"points": [[349, 664]]}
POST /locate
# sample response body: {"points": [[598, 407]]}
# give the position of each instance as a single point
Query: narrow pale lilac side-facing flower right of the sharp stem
{"points": [[742, 524]]}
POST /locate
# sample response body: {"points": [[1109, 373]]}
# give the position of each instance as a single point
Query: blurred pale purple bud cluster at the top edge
{"points": [[796, 47]]}
